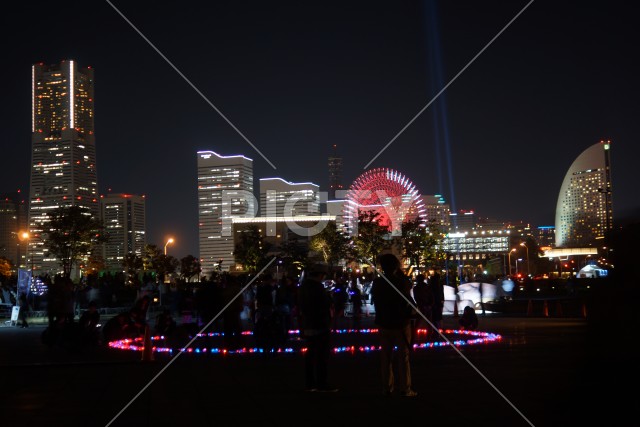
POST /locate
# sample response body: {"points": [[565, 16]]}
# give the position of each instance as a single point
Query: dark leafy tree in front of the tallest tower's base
{"points": [[72, 235]]}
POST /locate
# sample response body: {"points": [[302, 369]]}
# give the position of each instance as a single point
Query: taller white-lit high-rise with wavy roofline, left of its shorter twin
{"points": [[225, 190]]}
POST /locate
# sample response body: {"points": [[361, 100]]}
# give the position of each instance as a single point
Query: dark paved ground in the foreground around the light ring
{"points": [[539, 373]]}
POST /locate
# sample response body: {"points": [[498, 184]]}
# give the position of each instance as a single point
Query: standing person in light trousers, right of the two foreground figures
{"points": [[390, 295]]}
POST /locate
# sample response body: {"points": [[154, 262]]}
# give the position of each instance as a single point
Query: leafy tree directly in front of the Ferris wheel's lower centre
{"points": [[371, 238]]}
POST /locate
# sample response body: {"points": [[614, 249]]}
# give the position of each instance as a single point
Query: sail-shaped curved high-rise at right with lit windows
{"points": [[584, 212]]}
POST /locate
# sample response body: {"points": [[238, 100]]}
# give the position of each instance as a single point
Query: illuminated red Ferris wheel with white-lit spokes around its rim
{"points": [[385, 191]]}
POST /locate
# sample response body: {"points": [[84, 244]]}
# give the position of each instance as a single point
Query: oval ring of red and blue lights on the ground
{"points": [[470, 338]]}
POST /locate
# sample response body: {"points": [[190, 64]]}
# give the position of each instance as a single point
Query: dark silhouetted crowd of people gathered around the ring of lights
{"points": [[317, 305]]}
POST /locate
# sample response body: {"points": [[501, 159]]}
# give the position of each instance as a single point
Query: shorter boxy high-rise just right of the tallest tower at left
{"points": [[124, 220]]}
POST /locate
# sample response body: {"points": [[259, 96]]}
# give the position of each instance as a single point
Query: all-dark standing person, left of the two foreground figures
{"points": [[315, 313]]}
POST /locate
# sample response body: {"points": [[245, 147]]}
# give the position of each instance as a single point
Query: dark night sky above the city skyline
{"points": [[298, 77]]}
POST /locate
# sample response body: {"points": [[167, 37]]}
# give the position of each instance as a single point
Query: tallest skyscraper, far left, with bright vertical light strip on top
{"points": [[63, 160]]}
